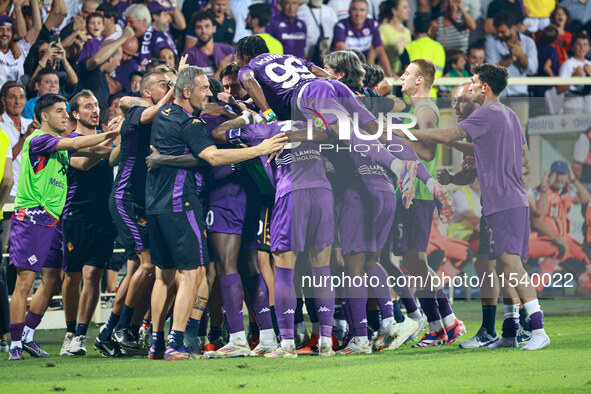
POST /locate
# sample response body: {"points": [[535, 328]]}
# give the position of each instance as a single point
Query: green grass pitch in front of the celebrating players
{"points": [[564, 366]]}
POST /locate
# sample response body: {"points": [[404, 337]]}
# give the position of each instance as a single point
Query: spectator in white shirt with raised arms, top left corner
{"points": [[13, 54]]}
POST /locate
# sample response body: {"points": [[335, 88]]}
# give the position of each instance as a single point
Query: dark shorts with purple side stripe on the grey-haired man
{"points": [[178, 240]]}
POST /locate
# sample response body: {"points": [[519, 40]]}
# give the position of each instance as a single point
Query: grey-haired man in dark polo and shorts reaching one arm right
{"points": [[175, 212]]}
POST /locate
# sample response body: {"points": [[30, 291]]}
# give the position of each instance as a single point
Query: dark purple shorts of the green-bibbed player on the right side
{"points": [[412, 227]]}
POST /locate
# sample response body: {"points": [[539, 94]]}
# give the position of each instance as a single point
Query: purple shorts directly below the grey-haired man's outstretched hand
{"points": [[303, 219]]}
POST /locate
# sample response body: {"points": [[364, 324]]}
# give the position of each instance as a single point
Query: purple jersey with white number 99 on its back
{"points": [[280, 77]]}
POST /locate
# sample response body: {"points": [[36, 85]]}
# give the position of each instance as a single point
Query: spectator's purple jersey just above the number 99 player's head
{"points": [[291, 34]]}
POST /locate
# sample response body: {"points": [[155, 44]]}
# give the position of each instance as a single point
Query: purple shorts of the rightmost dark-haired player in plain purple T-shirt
{"points": [[508, 232]]}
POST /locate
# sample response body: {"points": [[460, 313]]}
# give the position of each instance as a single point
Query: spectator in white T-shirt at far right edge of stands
{"points": [[577, 98]]}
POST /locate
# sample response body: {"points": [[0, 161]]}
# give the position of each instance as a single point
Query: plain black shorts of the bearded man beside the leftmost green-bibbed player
{"points": [[87, 243]]}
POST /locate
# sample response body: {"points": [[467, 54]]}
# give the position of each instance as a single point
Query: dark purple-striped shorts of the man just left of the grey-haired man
{"points": [[132, 226]]}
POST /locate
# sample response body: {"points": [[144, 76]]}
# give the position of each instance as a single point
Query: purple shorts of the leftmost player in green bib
{"points": [[33, 246]]}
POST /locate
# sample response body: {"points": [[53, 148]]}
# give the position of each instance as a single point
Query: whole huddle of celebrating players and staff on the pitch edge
{"points": [[208, 229]]}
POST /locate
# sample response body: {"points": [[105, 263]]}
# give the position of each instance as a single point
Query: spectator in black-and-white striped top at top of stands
{"points": [[452, 29]]}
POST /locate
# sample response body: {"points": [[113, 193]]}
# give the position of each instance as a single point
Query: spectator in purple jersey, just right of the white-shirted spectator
{"points": [[361, 33]]}
